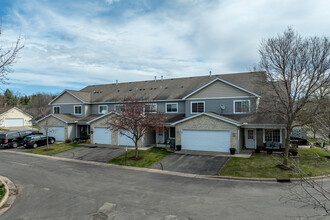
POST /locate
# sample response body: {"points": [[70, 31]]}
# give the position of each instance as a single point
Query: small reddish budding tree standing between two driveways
{"points": [[135, 118]]}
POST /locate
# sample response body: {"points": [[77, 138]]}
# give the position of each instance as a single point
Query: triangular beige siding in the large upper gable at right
{"points": [[219, 89]]}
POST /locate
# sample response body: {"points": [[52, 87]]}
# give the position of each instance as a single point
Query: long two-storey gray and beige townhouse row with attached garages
{"points": [[206, 113]]}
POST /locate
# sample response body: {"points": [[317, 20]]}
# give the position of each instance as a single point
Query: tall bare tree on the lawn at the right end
{"points": [[297, 70]]}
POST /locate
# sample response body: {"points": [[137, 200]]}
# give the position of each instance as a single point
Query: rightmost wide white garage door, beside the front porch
{"points": [[206, 140]]}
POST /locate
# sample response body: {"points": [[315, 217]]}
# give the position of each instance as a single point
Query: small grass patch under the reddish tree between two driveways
{"points": [[150, 157]]}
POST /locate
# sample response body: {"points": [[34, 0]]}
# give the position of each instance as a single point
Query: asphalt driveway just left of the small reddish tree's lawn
{"points": [[93, 153]]}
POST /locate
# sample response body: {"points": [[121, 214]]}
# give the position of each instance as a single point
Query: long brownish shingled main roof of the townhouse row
{"points": [[171, 89]]}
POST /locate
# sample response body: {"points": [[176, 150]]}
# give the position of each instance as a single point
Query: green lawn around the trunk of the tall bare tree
{"points": [[312, 161]]}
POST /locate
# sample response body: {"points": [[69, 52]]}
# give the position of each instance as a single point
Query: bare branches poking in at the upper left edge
{"points": [[8, 56]]}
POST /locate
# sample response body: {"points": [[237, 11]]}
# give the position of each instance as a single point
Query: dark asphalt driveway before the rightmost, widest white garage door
{"points": [[195, 164]]}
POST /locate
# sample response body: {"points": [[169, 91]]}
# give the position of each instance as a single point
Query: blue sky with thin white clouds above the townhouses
{"points": [[71, 44]]}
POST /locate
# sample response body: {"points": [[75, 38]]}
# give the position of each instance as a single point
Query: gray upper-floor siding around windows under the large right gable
{"points": [[213, 105]]}
